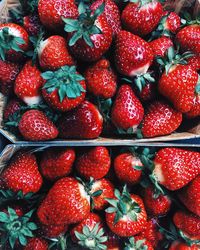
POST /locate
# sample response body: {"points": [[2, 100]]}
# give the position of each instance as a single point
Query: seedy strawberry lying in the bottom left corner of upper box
{"points": [[35, 126]]}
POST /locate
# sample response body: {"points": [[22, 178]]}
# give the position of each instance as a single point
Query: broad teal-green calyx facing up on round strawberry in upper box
{"points": [[66, 80]]}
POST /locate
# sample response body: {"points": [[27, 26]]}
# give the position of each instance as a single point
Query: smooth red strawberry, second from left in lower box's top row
{"points": [[56, 164]]}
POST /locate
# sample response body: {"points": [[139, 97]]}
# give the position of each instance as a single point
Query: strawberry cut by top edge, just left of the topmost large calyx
{"points": [[51, 12]]}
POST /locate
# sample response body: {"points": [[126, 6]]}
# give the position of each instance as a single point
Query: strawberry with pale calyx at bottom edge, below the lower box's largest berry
{"points": [[89, 233]]}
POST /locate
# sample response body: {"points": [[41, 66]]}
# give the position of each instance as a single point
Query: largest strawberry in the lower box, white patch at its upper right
{"points": [[66, 202]]}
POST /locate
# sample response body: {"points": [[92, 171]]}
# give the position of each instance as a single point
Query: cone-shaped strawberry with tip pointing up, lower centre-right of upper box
{"points": [[127, 111]]}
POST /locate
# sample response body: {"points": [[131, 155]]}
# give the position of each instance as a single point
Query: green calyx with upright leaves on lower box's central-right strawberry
{"points": [[123, 205]]}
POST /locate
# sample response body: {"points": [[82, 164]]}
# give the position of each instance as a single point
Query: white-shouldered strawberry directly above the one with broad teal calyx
{"points": [[53, 53]]}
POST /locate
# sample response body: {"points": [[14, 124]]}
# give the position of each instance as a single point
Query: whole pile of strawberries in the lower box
{"points": [[101, 198]]}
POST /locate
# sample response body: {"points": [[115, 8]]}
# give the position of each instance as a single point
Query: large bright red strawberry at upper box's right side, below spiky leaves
{"points": [[179, 86]]}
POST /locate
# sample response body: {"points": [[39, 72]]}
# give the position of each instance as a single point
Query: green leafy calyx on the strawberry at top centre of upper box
{"points": [[83, 27]]}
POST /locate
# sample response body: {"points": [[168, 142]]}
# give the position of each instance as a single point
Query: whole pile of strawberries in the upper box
{"points": [[89, 68]]}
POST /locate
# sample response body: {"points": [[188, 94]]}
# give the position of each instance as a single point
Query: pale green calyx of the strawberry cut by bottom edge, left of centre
{"points": [[92, 238]]}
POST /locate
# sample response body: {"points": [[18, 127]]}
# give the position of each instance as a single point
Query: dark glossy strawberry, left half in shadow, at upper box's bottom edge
{"points": [[83, 122]]}
